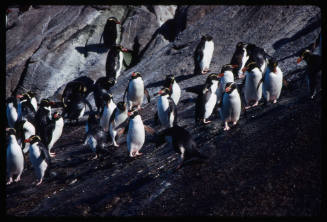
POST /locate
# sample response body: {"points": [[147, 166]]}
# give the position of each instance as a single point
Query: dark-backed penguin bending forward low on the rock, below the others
{"points": [[182, 143]]}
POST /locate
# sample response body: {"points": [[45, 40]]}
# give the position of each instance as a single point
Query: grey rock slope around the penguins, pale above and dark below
{"points": [[269, 164]]}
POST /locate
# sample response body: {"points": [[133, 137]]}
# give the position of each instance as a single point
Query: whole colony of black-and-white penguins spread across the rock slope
{"points": [[33, 128]]}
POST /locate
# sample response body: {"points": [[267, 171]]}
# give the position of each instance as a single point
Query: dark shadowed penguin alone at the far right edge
{"points": [[312, 70]]}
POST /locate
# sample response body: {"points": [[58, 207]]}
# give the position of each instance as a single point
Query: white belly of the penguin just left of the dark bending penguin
{"points": [[136, 133]]}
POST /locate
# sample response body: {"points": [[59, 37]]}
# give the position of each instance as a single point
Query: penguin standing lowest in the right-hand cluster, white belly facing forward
{"points": [[230, 109]]}
